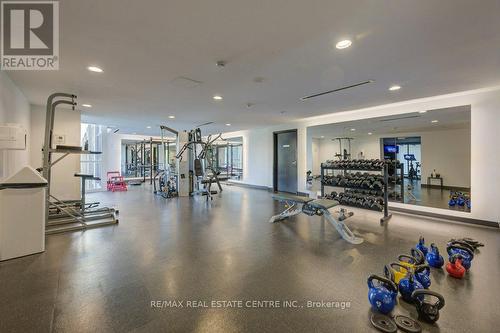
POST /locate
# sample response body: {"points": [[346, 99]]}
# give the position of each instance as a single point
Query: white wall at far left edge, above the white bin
{"points": [[14, 108]]}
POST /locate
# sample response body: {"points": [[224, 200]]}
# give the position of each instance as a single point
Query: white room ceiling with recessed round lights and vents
{"points": [[427, 47]]}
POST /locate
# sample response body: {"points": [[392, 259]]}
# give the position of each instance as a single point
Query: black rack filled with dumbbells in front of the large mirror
{"points": [[368, 190]]}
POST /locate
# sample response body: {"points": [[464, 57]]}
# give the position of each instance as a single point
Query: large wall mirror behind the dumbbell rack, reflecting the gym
{"points": [[429, 153]]}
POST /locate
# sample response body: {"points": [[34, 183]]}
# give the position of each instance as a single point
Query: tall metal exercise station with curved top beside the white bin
{"points": [[68, 215]]}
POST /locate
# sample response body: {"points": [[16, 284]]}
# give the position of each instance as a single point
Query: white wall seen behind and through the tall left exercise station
{"points": [[64, 184]]}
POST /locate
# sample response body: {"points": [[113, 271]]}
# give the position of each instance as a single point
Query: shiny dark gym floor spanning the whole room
{"points": [[104, 280]]}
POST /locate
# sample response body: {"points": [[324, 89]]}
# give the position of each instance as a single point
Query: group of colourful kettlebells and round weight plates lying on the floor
{"points": [[410, 276]]}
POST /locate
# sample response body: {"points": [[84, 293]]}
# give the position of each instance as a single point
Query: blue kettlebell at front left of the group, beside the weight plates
{"points": [[382, 296]]}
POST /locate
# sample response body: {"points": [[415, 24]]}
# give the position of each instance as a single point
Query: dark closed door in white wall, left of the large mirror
{"points": [[285, 157]]}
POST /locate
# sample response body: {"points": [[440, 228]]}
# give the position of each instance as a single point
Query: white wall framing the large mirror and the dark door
{"points": [[485, 126]]}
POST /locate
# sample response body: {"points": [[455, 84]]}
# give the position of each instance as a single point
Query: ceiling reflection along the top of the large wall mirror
{"points": [[448, 118]]}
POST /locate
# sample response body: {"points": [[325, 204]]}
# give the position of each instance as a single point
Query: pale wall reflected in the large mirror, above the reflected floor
{"points": [[446, 150]]}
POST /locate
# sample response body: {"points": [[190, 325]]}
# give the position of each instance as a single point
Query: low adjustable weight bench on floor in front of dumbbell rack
{"points": [[296, 205]]}
